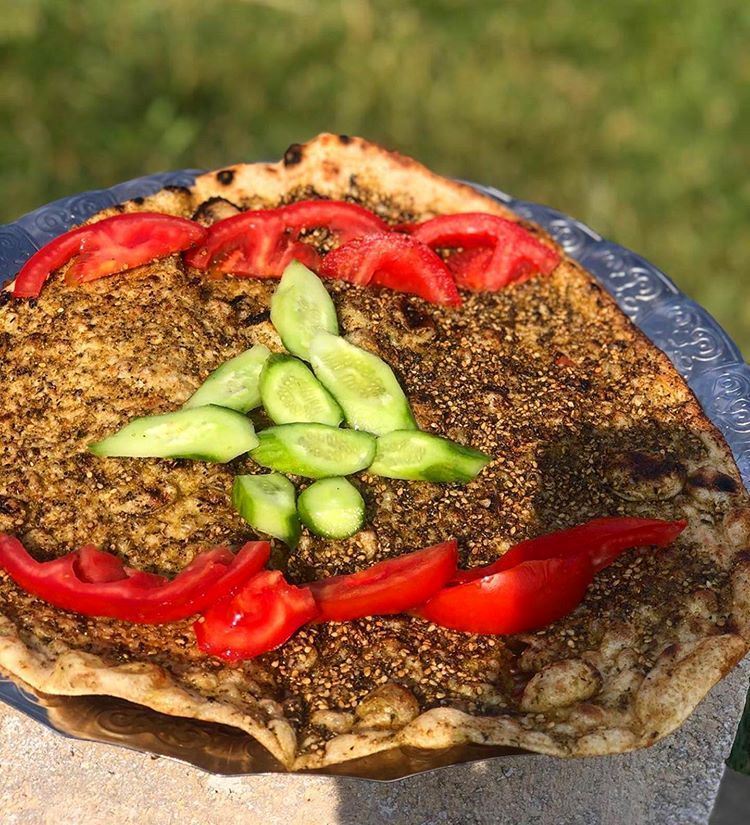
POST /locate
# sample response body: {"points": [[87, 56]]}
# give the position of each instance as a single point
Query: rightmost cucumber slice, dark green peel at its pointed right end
{"points": [[418, 456]]}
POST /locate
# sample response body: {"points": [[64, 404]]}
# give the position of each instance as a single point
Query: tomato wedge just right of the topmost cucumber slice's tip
{"points": [[396, 261]]}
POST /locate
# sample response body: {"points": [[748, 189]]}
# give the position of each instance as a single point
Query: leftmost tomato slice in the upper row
{"points": [[108, 246]]}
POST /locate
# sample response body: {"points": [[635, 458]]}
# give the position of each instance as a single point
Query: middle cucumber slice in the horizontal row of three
{"points": [[314, 450]]}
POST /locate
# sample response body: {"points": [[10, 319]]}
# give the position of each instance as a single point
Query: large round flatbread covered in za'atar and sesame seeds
{"points": [[584, 416]]}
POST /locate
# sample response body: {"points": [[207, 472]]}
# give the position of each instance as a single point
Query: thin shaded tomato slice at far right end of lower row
{"points": [[603, 540]]}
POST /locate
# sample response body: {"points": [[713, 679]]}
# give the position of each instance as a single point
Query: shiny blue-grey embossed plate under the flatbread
{"points": [[699, 348]]}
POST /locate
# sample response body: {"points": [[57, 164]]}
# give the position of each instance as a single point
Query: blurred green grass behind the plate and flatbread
{"points": [[632, 116]]}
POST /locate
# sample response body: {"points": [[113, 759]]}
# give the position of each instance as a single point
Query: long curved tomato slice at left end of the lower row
{"points": [[89, 586]]}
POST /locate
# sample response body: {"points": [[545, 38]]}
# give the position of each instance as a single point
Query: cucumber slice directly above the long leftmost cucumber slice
{"points": [[234, 384]]}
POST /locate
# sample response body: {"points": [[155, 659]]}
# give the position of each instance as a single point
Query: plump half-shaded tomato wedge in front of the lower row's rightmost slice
{"points": [[530, 595]]}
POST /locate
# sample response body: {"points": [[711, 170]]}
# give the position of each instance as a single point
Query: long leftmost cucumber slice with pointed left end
{"points": [[204, 433]]}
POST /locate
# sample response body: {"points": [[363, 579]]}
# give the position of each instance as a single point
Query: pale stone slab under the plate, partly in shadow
{"points": [[45, 778]]}
